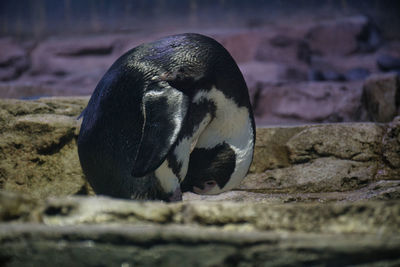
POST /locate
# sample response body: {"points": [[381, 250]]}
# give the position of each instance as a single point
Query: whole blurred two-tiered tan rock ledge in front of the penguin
{"points": [[81, 231]]}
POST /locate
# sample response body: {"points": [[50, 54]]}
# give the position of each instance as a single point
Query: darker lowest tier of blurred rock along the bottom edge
{"points": [[37, 245]]}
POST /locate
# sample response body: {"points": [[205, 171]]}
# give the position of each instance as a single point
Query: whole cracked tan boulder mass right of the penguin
{"points": [[323, 158]]}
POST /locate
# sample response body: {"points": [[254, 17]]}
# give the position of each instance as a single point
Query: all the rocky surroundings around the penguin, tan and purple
{"points": [[324, 186]]}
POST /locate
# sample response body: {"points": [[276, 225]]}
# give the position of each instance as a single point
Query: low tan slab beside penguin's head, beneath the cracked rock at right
{"points": [[320, 175]]}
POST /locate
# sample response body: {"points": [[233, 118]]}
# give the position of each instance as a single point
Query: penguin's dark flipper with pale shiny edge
{"points": [[164, 109]]}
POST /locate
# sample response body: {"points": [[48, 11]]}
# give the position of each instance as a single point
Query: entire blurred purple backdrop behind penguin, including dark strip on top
{"points": [[304, 61]]}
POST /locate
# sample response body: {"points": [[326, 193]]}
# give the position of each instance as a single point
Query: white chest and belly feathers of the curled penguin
{"points": [[231, 125]]}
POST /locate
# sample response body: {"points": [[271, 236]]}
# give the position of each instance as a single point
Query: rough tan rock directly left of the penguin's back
{"points": [[38, 152]]}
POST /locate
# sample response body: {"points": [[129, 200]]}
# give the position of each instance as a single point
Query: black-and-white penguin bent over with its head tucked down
{"points": [[168, 117]]}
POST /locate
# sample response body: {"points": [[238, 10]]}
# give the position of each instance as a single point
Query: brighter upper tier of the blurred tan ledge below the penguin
{"points": [[294, 217]]}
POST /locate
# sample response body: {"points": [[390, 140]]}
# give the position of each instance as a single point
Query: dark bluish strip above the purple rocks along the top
{"points": [[43, 17]]}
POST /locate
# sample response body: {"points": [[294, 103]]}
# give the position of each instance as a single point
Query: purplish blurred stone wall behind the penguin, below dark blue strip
{"points": [[310, 71]]}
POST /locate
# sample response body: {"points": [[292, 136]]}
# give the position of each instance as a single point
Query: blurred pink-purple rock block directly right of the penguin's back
{"points": [[308, 102]]}
